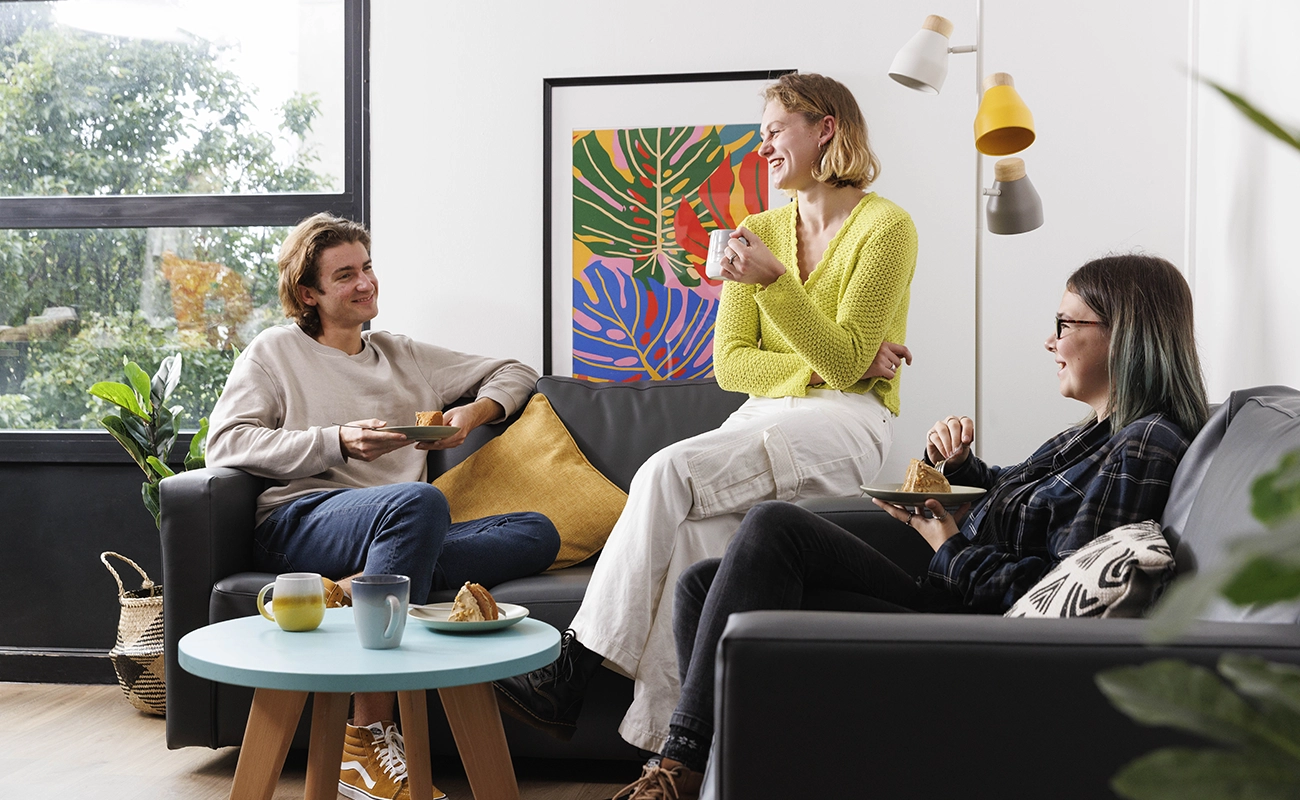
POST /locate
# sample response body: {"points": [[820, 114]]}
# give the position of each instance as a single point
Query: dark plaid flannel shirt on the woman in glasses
{"points": [[1077, 487]]}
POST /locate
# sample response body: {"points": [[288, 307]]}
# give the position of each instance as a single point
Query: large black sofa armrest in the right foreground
{"points": [[826, 704]]}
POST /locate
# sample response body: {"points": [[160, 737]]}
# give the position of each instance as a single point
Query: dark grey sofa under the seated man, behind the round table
{"points": [[207, 560]]}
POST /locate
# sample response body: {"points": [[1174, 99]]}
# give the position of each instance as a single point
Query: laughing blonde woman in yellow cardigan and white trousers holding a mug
{"points": [[817, 293]]}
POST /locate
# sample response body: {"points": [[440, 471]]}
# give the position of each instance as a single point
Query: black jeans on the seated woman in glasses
{"points": [[783, 557]]}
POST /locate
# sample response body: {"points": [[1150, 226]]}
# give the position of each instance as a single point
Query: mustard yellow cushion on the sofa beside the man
{"points": [[536, 466]]}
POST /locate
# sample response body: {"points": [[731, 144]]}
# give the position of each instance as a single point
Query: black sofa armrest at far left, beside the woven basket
{"points": [[207, 522]]}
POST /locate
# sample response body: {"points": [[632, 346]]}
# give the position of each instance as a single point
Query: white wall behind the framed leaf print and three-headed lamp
{"points": [[457, 120]]}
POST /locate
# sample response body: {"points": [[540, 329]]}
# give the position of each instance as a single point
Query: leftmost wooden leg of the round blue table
{"points": [[262, 756]]}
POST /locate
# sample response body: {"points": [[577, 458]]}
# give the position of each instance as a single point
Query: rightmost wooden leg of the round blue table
{"points": [[475, 723]]}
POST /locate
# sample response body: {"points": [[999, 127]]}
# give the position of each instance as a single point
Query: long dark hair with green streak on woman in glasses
{"points": [[1147, 306]]}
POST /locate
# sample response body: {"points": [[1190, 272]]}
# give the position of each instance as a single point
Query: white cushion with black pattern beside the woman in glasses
{"points": [[1120, 574]]}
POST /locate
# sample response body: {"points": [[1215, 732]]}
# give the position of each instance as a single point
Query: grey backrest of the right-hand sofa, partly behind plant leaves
{"points": [[1262, 431]]}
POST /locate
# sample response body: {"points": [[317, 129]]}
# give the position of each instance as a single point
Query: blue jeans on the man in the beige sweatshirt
{"points": [[405, 530]]}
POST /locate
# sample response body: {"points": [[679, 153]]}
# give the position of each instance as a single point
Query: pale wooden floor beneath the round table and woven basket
{"points": [[88, 742]]}
